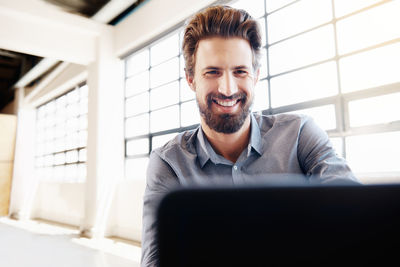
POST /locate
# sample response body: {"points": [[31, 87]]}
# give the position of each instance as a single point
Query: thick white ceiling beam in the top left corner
{"points": [[36, 28]]}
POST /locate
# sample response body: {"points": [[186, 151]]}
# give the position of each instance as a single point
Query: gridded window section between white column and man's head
{"points": [[158, 102]]}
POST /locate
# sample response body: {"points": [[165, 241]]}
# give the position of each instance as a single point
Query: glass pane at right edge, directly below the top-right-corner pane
{"points": [[370, 69]]}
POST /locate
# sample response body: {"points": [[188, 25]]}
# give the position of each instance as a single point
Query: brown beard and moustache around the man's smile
{"points": [[225, 123]]}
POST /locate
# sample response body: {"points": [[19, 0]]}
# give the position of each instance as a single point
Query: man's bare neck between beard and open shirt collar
{"points": [[230, 146]]}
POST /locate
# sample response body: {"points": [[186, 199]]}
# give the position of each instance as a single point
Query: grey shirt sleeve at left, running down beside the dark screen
{"points": [[160, 180]]}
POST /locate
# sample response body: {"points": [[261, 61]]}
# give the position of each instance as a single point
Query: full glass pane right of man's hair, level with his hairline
{"points": [[297, 18]]}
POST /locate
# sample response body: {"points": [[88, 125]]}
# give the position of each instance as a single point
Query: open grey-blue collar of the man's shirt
{"points": [[205, 151]]}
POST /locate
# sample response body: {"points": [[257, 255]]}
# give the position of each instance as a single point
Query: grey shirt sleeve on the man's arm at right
{"points": [[319, 160]]}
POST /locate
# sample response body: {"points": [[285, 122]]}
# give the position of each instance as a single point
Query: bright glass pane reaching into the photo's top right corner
{"points": [[368, 28]]}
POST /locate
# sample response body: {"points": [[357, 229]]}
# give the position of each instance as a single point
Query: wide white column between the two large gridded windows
{"points": [[105, 147]]}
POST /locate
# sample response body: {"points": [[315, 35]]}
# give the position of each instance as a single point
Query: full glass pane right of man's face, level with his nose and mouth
{"points": [[306, 84]]}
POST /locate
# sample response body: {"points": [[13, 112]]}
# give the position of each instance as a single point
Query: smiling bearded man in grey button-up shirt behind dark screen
{"points": [[232, 146]]}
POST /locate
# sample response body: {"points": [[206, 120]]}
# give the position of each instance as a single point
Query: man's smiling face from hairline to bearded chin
{"points": [[224, 82]]}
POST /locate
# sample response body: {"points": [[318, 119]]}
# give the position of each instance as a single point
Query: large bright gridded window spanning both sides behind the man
{"points": [[334, 60]]}
